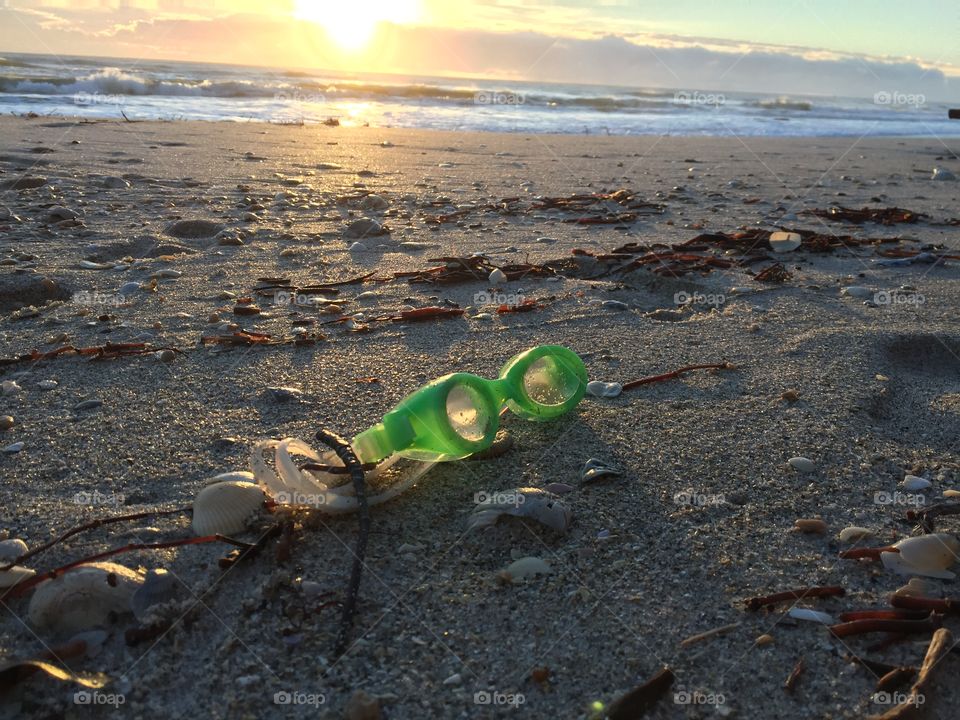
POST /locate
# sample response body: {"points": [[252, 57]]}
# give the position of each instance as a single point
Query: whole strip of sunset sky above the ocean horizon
{"points": [[818, 47]]}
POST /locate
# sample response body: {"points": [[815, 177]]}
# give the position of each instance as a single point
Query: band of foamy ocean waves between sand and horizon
{"points": [[107, 87]]}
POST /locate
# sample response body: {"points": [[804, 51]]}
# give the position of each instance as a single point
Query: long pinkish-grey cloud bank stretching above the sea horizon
{"points": [[634, 61]]}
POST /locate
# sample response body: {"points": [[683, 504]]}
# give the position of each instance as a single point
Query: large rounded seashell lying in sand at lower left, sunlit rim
{"points": [[86, 597]]}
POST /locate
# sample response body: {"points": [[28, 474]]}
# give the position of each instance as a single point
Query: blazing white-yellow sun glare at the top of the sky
{"points": [[351, 23]]}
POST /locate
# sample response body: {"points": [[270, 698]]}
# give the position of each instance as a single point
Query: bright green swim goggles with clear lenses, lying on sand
{"points": [[458, 415]]}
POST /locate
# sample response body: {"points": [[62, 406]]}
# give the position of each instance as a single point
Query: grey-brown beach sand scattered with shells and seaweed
{"points": [[878, 398]]}
